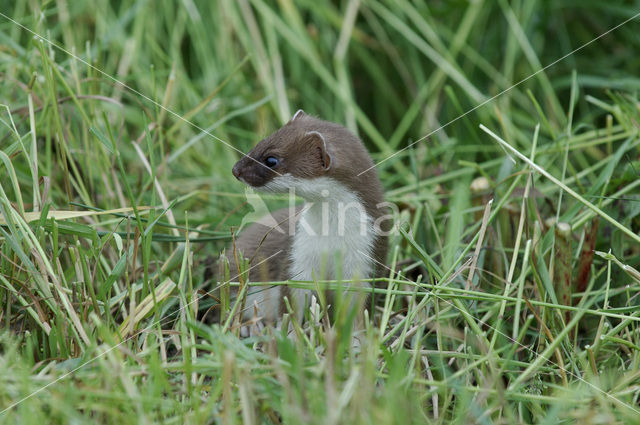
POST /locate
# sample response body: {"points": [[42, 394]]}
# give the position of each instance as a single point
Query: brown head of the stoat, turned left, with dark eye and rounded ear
{"points": [[297, 151]]}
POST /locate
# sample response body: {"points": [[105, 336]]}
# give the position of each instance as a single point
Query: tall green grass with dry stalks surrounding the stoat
{"points": [[513, 285]]}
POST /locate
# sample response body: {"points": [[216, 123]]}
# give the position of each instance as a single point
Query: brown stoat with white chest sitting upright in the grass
{"points": [[339, 232]]}
